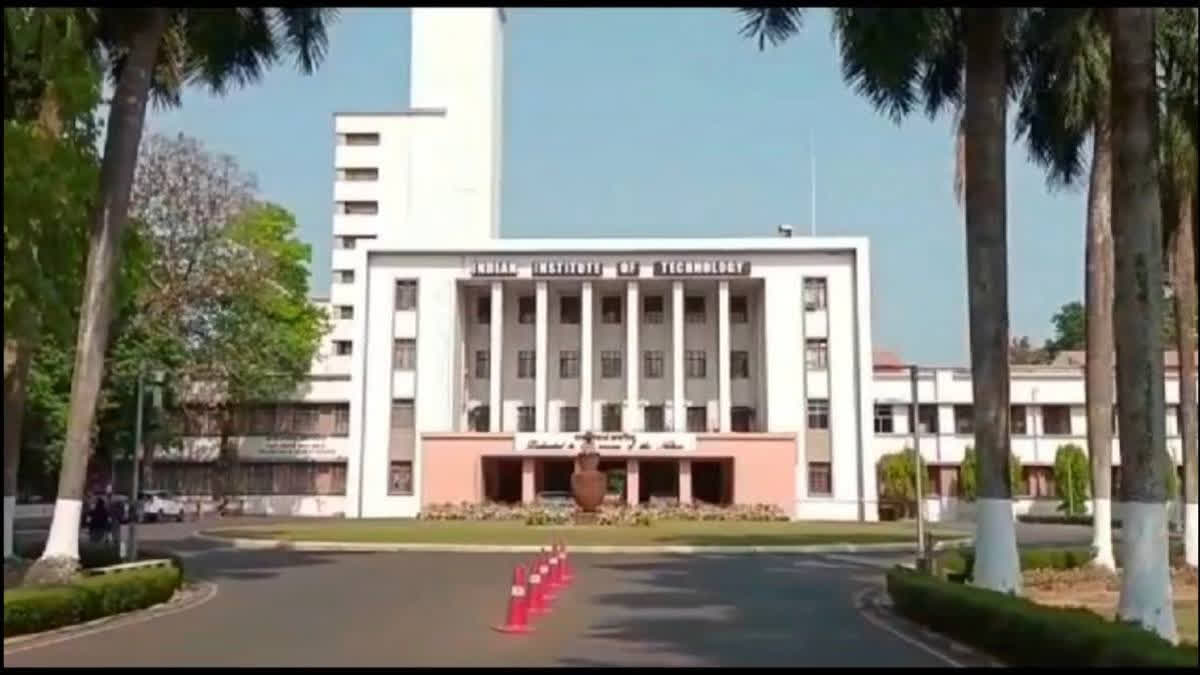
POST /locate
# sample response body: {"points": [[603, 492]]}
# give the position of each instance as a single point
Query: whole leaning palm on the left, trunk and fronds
{"points": [[145, 47]]}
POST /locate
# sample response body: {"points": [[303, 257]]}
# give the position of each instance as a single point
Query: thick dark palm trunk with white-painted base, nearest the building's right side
{"points": [[997, 563]]}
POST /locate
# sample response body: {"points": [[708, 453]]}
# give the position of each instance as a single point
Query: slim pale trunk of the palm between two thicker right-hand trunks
{"points": [[1100, 369]]}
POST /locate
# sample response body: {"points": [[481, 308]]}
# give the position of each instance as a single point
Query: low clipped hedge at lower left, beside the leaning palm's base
{"points": [[44, 608]]}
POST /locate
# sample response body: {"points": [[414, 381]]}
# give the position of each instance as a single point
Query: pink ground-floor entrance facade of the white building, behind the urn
{"points": [[724, 469]]}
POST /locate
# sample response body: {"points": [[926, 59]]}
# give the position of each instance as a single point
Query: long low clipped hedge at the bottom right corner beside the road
{"points": [[1019, 632]]}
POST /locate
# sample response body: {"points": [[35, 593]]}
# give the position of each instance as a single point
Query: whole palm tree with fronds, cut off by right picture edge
{"points": [[1178, 184]]}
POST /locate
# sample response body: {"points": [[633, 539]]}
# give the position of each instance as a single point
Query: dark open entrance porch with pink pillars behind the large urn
{"points": [[632, 481]]}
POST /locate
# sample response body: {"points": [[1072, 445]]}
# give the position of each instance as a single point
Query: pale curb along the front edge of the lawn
{"points": [[350, 547]]}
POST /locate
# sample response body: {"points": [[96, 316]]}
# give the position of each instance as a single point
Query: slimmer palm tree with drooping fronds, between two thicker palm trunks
{"points": [[1065, 100]]}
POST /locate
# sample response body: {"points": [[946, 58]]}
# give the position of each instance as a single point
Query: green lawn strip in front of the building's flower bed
{"points": [[661, 534]]}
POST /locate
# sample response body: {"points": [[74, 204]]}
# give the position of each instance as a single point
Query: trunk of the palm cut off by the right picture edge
{"points": [[1184, 265]]}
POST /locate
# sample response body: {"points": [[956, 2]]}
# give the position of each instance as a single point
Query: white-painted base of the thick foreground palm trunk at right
{"points": [[1147, 580]]}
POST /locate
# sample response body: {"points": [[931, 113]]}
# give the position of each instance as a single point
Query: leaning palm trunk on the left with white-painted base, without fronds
{"points": [[127, 120]]}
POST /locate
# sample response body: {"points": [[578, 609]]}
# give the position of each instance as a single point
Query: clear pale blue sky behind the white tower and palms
{"points": [[669, 123]]}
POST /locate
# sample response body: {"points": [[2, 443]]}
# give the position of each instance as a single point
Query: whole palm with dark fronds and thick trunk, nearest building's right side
{"points": [[946, 58]]}
